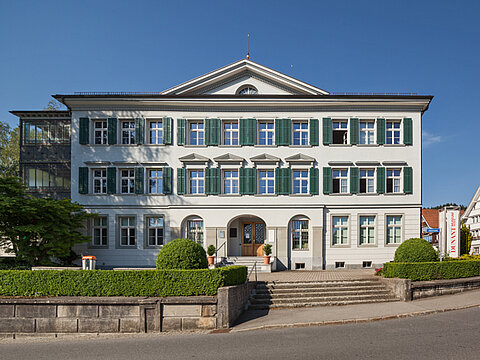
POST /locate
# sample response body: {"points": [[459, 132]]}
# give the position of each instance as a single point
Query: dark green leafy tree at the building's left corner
{"points": [[39, 230]]}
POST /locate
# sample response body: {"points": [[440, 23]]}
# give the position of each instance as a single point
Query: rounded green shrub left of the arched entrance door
{"points": [[182, 254]]}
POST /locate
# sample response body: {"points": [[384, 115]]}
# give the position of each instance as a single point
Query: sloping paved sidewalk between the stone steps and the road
{"points": [[315, 316]]}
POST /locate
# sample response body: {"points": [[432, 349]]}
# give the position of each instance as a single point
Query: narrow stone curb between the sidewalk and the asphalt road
{"points": [[354, 321]]}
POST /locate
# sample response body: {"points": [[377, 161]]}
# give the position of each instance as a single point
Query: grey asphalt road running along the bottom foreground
{"points": [[450, 335]]}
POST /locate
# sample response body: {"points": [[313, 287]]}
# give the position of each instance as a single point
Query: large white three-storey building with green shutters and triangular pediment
{"points": [[244, 155]]}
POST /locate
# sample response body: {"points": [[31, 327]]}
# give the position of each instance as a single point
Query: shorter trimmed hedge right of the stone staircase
{"points": [[432, 270]]}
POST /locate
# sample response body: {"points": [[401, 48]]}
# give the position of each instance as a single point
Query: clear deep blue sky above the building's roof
{"points": [[426, 47]]}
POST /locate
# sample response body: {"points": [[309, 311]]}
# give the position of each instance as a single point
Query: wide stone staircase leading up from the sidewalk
{"points": [[278, 295]]}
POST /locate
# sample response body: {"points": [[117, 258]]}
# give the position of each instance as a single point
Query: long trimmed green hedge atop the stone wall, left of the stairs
{"points": [[156, 283]]}
